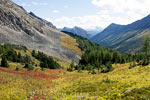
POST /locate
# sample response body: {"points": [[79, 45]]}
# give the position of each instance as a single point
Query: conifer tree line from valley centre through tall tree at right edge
{"points": [[102, 58]]}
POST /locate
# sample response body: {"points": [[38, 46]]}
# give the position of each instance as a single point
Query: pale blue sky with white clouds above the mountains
{"points": [[87, 14]]}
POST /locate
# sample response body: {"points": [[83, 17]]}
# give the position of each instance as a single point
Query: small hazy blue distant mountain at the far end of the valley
{"points": [[78, 31]]}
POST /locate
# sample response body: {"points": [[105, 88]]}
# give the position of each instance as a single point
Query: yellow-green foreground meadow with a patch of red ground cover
{"points": [[121, 84]]}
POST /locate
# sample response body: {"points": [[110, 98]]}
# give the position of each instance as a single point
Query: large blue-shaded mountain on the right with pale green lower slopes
{"points": [[124, 38]]}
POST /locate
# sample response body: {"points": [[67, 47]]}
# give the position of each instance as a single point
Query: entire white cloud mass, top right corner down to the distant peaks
{"points": [[110, 11]]}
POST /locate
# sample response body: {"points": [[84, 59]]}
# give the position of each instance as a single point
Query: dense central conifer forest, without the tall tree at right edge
{"points": [[98, 57]]}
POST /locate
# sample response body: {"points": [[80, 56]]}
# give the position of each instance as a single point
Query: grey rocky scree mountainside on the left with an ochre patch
{"points": [[20, 28]]}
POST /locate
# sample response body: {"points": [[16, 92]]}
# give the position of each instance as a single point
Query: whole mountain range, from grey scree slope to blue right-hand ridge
{"points": [[19, 27]]}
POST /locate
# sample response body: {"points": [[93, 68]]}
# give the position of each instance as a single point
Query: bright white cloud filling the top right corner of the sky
{"points": [[127, 10]]}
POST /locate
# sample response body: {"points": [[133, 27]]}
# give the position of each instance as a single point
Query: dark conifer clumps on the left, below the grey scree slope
{"points": [[13, 53]]}
